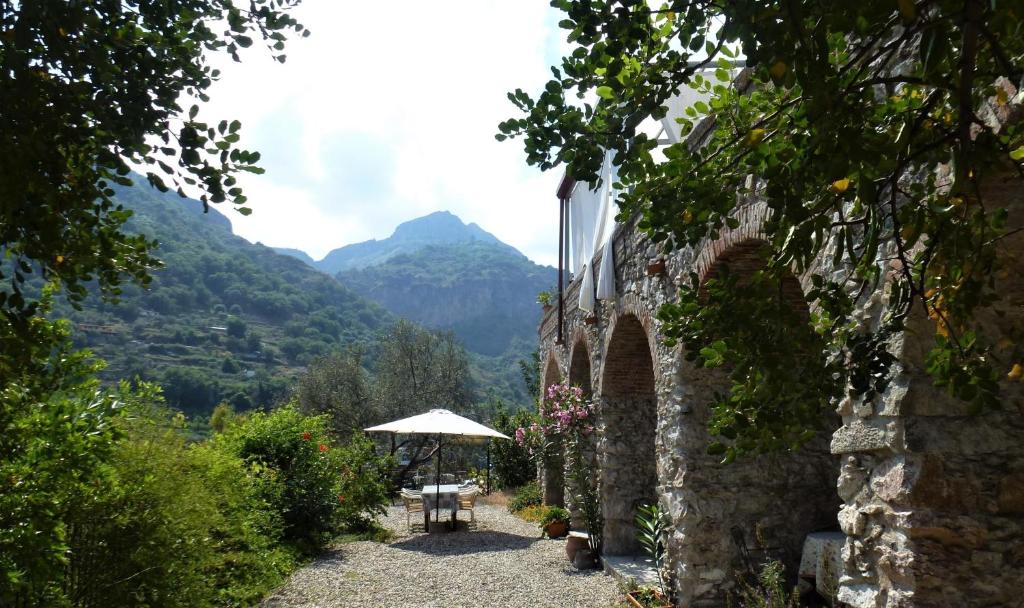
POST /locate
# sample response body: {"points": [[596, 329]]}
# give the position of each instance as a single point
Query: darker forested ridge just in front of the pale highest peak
{"points": [[485, 292]]}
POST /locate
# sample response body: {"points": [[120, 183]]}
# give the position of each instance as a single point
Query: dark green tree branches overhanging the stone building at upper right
{"points": [[874, 132]]}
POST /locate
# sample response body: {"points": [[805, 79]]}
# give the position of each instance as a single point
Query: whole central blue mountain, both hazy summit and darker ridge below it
{"points": [[446, 275]]}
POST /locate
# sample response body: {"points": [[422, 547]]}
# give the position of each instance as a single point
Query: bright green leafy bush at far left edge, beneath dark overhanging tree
{"points": [[57, 429]]}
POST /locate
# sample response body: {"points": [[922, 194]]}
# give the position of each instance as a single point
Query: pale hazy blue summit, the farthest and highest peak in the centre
{"points": [[440, 228]]}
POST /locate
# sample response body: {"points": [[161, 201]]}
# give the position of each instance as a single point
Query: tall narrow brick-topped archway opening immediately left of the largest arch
{"points": [[626, 443]]}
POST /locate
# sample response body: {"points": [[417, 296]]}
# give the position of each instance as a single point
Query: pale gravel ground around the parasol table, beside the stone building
{"points": [[500, 561]]}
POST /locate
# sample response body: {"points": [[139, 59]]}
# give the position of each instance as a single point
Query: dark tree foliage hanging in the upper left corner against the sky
{"points": [[89, 89]]}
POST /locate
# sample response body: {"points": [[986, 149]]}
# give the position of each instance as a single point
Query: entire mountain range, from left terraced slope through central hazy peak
{"points": [[229, 321]]}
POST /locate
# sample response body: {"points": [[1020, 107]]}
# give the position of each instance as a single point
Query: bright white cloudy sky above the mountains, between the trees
{"points": [[385, 115]]}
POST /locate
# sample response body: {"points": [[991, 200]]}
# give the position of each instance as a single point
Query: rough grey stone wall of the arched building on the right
{"points": [[931, 499]]}
